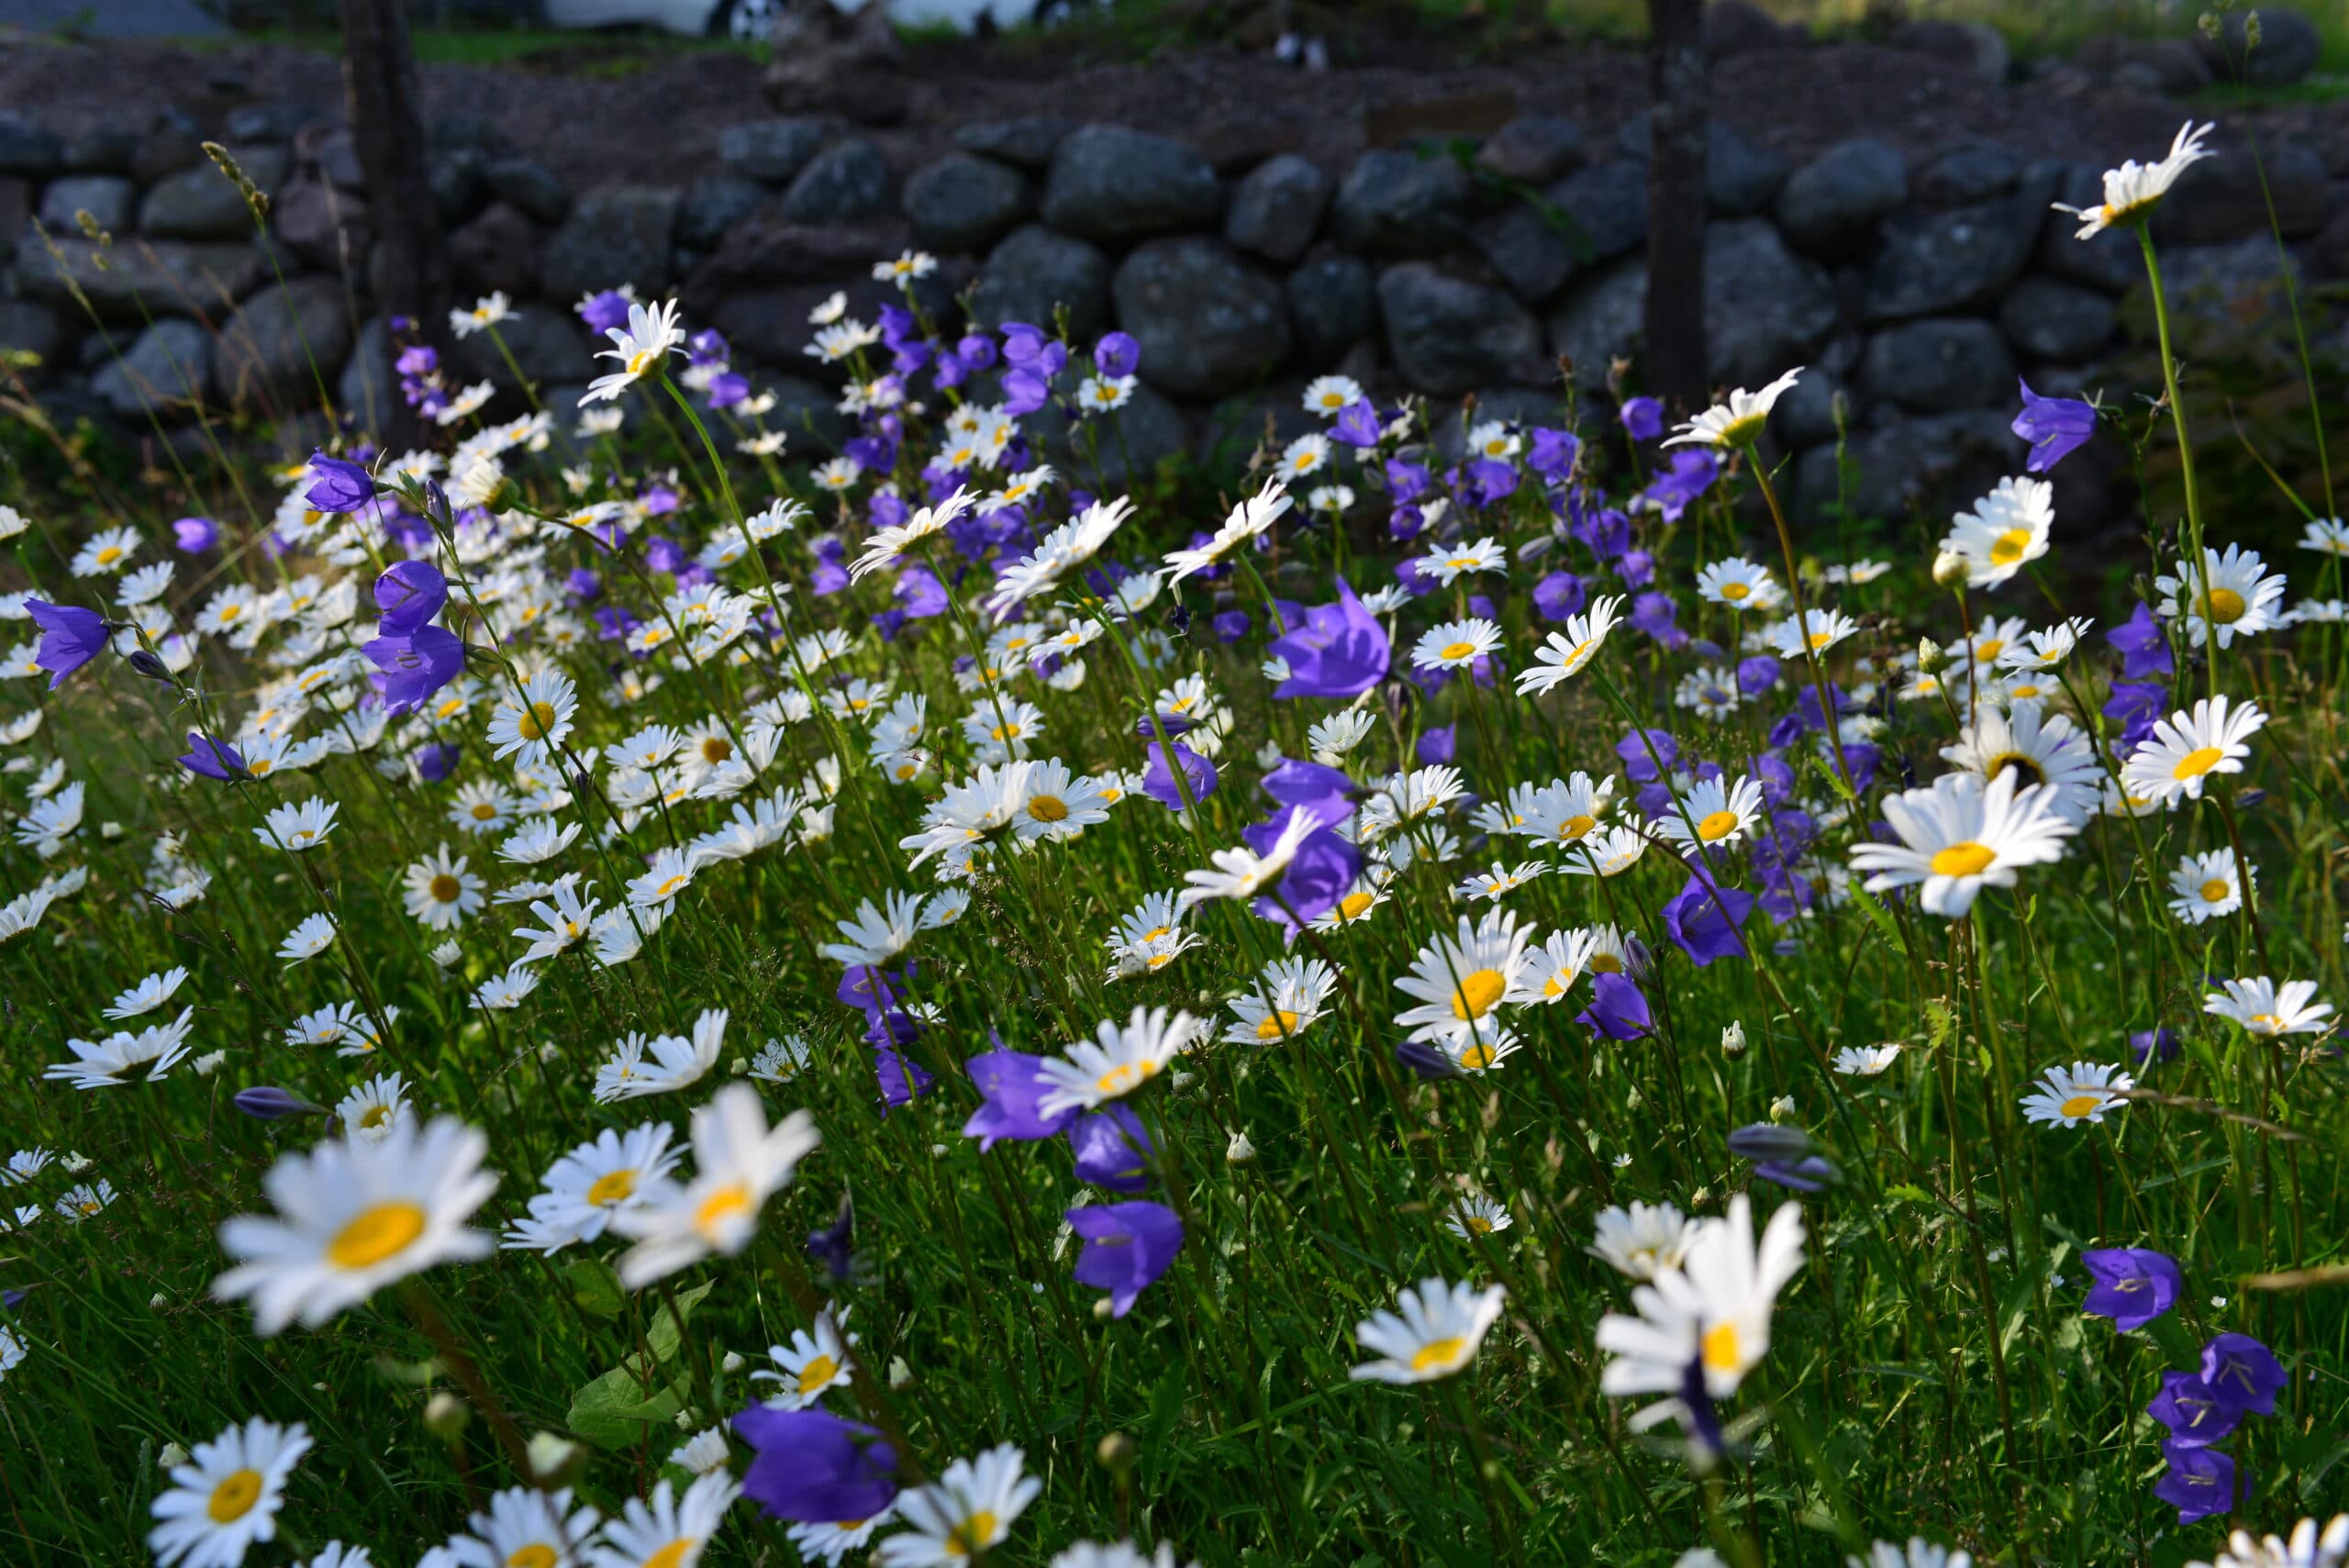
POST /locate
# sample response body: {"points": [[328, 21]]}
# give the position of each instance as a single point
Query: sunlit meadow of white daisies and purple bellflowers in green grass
{"points": [[612, 994]]}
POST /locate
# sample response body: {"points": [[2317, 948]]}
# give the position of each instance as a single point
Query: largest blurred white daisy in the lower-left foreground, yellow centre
{"points": [[356, 1217]]}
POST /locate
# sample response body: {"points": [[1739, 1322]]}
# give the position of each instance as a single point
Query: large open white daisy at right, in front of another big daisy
{"points": [[1963, 837]]}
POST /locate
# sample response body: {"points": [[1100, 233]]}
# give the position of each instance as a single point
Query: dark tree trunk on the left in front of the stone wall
{"points": [[410, 266]]}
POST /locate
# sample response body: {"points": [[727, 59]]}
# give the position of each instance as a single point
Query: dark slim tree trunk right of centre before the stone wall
{"points": [[1676, 201]]}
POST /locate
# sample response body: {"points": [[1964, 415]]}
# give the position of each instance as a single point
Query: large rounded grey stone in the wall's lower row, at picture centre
{"points": [[1206, 320]]}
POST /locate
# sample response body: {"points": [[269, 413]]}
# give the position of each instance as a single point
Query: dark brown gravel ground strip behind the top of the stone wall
{"points": [[664, 123]]}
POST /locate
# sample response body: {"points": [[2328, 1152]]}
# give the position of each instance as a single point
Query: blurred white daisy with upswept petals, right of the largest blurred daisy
{"points": [[739, 1165]]}
